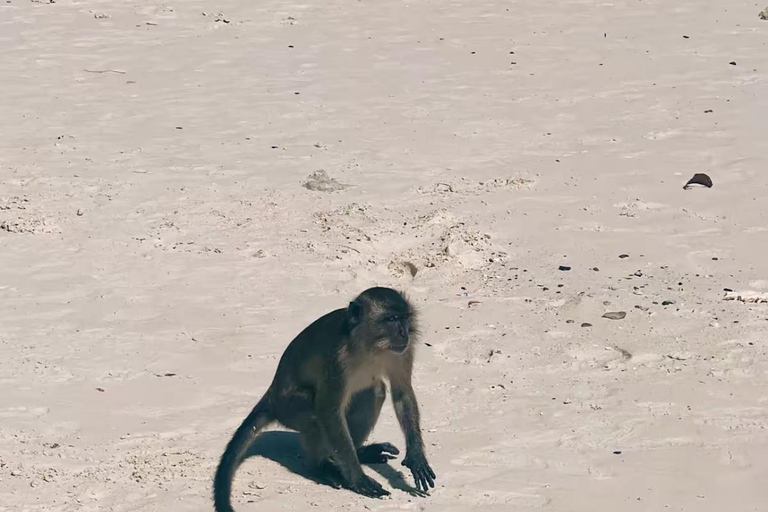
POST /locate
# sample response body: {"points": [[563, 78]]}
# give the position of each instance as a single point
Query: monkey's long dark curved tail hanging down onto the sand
{"points": [[238, 446]]}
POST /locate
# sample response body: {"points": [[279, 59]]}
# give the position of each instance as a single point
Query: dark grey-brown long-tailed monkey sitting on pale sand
{"points": [[329, 387]]}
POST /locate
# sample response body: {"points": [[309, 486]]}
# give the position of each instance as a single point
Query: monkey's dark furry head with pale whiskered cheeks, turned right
{"points": [[383, 319]]}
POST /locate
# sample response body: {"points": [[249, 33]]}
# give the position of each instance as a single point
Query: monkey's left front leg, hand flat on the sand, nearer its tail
{"points": [[331, 418]]}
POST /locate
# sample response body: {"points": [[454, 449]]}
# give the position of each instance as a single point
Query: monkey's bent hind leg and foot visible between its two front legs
{"points": [[362, 415]]}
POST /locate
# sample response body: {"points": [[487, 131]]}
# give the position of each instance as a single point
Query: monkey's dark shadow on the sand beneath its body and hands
{"points": [[284, 448]]}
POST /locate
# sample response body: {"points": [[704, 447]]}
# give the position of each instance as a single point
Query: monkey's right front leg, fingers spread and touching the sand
{"points": [[407, 411]]}
